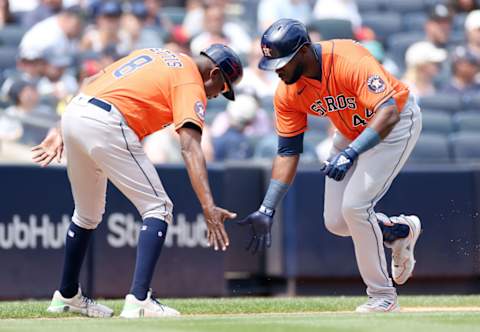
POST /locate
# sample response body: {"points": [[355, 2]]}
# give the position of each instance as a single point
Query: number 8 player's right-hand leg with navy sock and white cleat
{"points": [[128, 168]]}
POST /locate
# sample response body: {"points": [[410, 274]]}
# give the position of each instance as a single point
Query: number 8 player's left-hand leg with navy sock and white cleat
{"points": [[88, 185]]}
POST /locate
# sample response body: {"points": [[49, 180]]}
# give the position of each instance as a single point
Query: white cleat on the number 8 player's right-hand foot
{"points": [[150, 307]]}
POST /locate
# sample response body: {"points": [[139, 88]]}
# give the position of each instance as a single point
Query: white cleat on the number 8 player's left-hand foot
{"points": [[78, 304]]}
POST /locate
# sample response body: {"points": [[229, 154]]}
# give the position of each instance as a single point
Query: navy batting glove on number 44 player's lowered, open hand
{"points": [[260, 223]]}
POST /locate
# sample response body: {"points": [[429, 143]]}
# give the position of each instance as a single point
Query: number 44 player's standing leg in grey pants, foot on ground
{"points": [[374, 173]]}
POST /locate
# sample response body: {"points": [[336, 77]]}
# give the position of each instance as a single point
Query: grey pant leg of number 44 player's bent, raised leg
{"points": [[332, 212]]}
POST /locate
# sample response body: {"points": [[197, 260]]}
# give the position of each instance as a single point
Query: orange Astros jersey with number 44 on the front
{"points": [[353, 85]]}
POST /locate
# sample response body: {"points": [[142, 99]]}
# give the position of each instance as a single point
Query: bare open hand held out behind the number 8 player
{"points": [[51, 148]]}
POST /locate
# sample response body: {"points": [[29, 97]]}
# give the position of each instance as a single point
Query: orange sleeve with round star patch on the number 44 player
{"points": [[370, 83]]}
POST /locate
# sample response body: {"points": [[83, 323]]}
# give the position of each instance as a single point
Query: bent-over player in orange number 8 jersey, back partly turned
{"points": [[102, 131]]}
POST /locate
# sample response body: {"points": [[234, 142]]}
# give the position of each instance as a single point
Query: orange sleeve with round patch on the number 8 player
{"points": [[188, 105]]}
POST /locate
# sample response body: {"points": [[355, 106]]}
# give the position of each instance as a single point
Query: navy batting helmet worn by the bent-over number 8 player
{"points": [[229, 63]]}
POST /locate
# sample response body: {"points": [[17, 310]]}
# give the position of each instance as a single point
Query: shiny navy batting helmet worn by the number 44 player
{"points": [[281, 41]]}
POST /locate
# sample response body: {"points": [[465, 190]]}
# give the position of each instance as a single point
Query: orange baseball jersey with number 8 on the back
{"points": [[153, 88]]}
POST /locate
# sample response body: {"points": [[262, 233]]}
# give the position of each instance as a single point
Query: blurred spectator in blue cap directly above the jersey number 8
{"points": [[133, 22]]}
